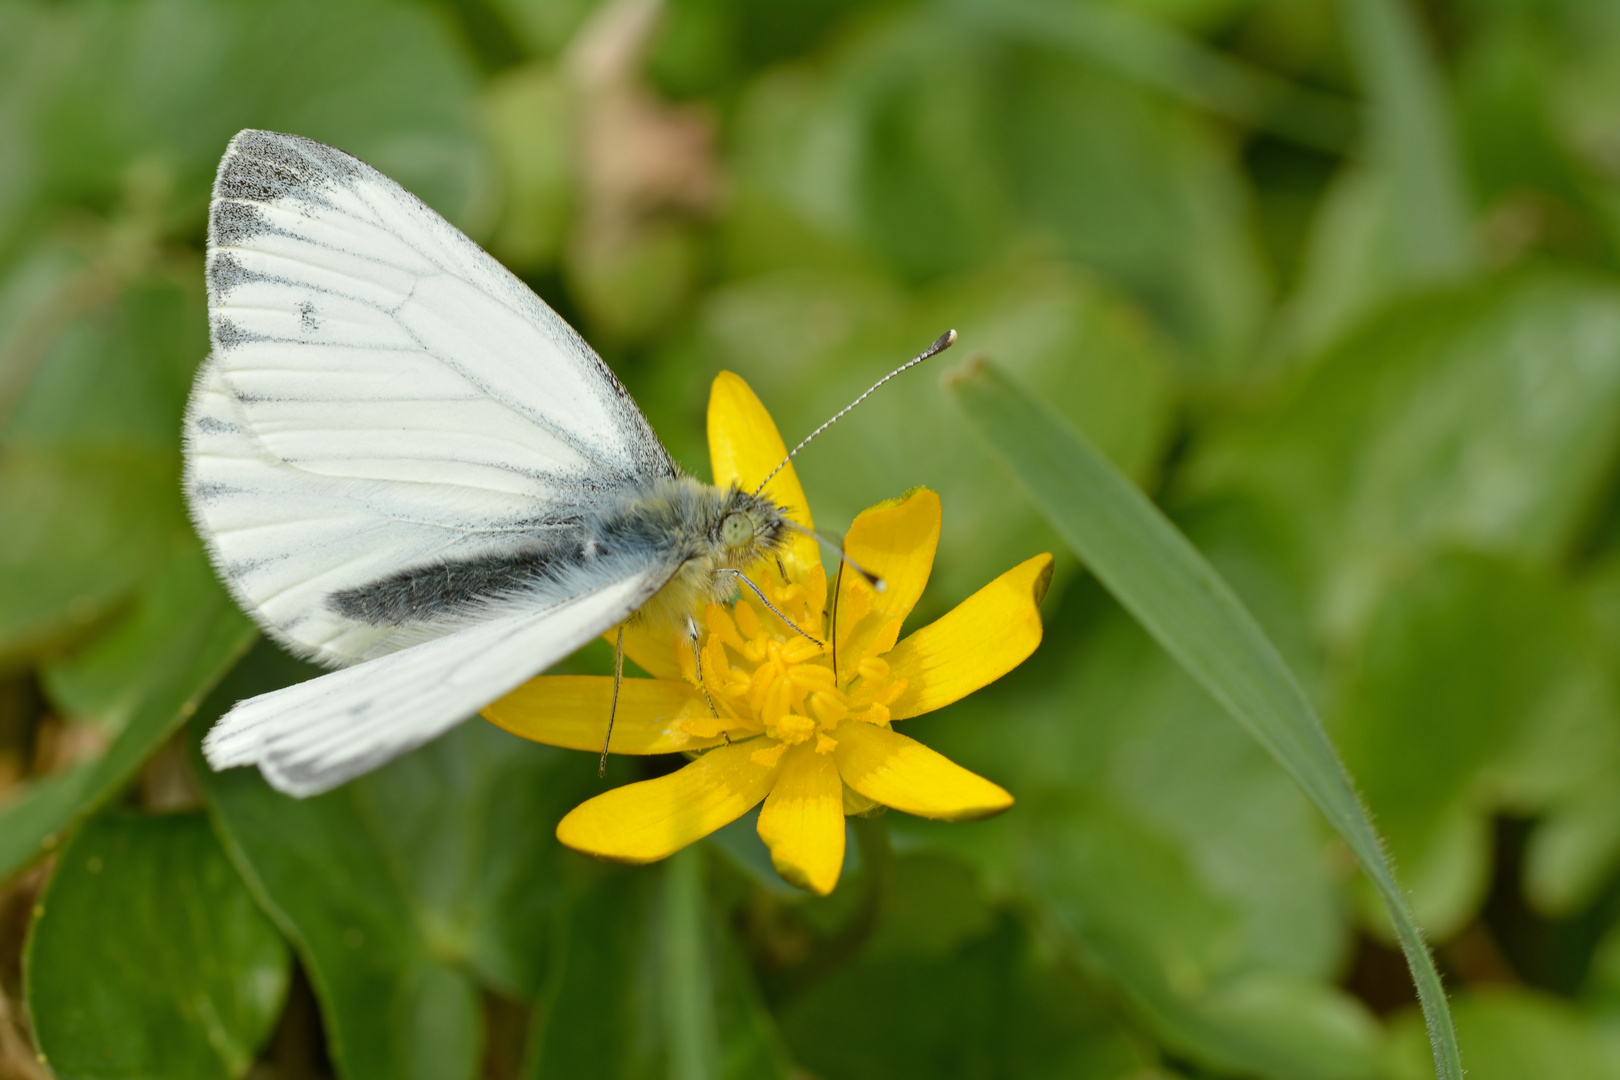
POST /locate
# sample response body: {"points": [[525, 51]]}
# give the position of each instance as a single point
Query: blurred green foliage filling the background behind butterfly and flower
{"points": [[1336, 281]]}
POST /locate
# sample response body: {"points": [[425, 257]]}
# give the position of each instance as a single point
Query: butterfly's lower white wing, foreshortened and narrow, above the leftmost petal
{"points": [[315, 736]]}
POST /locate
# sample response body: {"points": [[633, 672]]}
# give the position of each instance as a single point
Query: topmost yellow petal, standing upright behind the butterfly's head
{"points": [[744, 448]]}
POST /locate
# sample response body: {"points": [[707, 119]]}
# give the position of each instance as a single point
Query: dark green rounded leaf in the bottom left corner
{"points": [[150, 959]]}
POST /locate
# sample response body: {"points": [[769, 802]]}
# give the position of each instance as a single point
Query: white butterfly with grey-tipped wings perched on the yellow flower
{"points": [[406, 466]]}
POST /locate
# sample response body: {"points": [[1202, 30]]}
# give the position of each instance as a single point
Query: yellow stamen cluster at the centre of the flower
{"points": [[767, 679]]}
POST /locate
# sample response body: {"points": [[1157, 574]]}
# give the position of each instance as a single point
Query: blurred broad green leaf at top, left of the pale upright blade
{"points": [[1145, 193]]}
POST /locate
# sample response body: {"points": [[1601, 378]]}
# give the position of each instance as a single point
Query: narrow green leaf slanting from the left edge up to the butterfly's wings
{"points": [[197, 653]]}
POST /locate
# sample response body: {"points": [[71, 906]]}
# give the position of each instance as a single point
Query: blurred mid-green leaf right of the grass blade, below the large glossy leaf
{"points": [[1462, 665]]}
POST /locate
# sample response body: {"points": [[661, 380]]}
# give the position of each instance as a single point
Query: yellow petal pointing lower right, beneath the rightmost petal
{"points": [[902, 773]]}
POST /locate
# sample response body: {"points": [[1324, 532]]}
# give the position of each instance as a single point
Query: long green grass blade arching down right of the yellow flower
{"points": [[1179, 598]]}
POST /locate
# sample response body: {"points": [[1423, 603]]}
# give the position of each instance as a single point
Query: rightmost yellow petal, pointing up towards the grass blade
{"points": [[979, 642]]}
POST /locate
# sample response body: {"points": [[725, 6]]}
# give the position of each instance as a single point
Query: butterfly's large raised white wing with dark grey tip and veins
{"points": [[383, 396]]}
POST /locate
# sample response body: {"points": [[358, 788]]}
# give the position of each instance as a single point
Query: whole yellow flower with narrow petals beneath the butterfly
{"points": [[803, 728]]}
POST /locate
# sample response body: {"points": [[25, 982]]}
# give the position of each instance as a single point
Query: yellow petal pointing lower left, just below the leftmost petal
{"points": [[655, 819]]}
